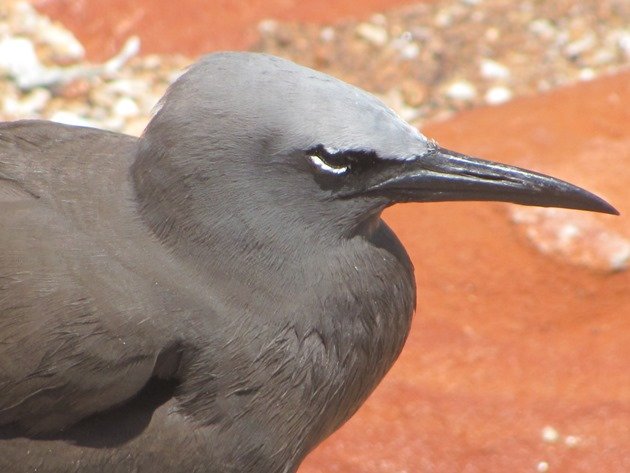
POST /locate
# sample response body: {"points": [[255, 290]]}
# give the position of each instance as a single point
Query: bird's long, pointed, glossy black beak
{"points": [[443, 175]]}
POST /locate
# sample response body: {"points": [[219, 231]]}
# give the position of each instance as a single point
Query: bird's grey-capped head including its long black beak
{"points": [[247, 134]]}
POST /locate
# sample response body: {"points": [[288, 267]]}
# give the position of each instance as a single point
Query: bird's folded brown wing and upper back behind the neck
{"points": [[76, 329]]}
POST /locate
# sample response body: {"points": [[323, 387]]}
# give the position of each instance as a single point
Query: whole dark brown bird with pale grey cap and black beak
{"points": [[219, 294]]}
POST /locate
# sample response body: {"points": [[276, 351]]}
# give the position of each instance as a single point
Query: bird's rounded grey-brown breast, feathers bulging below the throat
{"points": [[306, 354]]}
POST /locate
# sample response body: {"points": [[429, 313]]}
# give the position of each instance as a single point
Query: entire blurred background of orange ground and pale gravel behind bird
{"points": [[519, 357]]}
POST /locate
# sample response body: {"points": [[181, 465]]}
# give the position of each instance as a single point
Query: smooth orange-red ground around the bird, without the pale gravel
{"points": [[506, 340]]}
